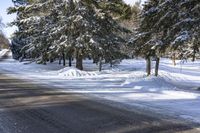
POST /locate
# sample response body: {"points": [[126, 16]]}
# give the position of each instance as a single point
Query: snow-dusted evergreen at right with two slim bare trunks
{"points": [[168, 26]]}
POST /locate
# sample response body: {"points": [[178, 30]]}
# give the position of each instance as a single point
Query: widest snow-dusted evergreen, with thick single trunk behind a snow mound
{"points": [[70, 28]]}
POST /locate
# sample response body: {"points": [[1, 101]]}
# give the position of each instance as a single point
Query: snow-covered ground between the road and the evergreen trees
{"points": [[176, 92]]}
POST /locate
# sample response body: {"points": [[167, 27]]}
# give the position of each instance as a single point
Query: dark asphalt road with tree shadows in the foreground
{"points": [[30, 108]]}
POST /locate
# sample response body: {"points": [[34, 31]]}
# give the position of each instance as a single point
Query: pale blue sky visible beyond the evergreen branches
{"points": [[9, 18]]}
